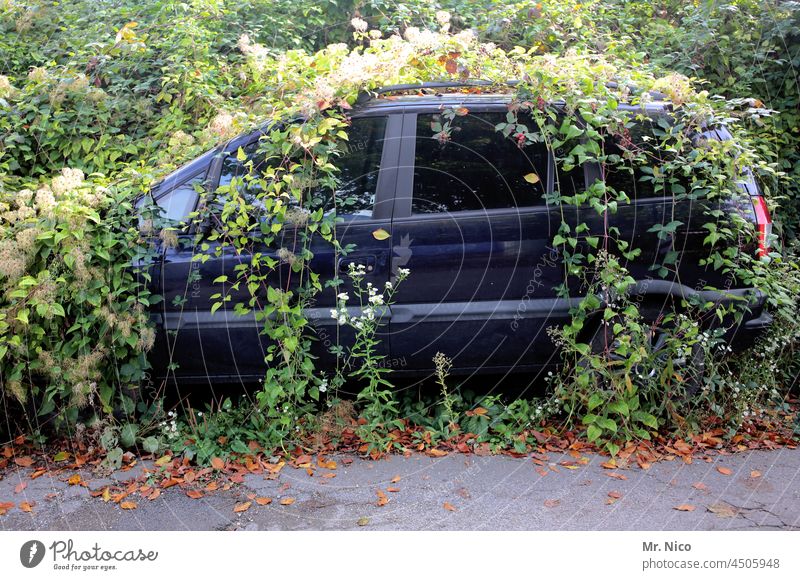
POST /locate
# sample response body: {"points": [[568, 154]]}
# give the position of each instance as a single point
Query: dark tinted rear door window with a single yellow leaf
{"points": [[476, 168]]}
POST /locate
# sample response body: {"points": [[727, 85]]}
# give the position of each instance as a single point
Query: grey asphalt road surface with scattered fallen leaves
{"points": [[456, 492]]}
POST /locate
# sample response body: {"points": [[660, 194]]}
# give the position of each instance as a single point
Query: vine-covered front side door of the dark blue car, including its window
{"points": [[226, 345]]}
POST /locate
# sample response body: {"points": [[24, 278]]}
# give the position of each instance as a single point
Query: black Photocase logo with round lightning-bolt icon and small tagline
{"points": [[65, 556]]}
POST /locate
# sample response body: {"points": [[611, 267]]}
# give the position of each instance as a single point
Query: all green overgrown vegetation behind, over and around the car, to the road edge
{"points": [[96, 101]]}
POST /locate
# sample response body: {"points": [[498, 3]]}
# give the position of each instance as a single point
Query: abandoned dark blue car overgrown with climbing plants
{"points": [[476, 235]]}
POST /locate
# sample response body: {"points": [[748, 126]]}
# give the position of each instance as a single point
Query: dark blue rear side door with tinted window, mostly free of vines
{"points": [[476, 236]]}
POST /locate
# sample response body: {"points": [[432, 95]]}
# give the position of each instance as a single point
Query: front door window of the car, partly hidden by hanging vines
{"points": [[358, 176]]}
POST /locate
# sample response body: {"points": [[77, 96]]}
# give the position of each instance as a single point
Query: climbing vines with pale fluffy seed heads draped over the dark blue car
{"points": [[617, 386]]}
